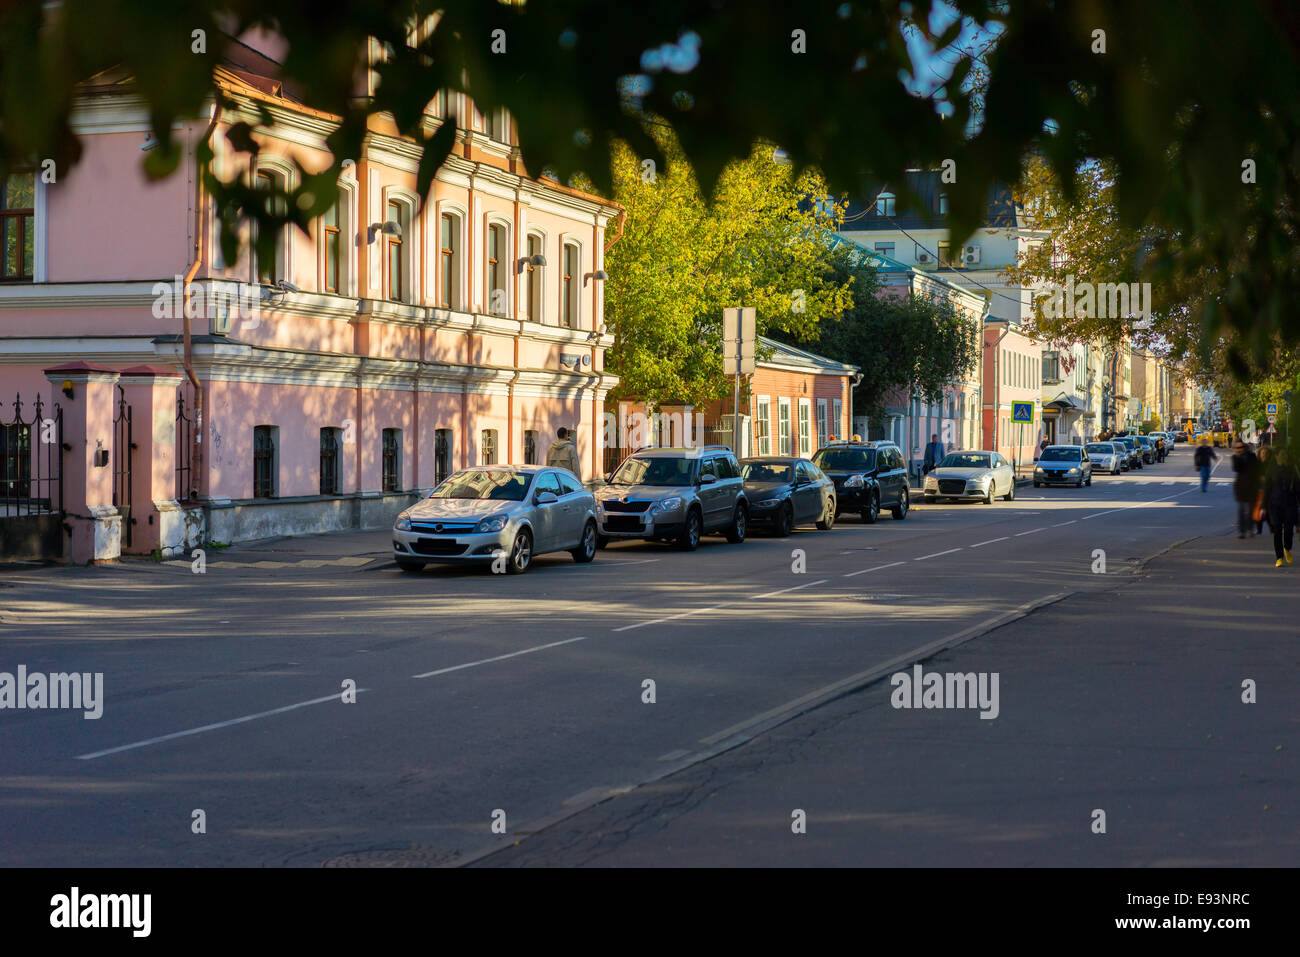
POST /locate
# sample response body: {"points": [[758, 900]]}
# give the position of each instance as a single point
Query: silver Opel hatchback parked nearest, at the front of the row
{"points": [[479, 514]]}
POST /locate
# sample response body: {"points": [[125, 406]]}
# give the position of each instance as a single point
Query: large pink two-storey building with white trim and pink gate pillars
{"points": [[402, 339]]}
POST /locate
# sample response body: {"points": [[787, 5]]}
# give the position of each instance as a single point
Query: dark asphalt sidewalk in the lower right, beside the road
{"points": [[1126, 700]]}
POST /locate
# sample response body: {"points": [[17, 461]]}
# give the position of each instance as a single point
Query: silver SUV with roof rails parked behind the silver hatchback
{"points": [[674, 495]]}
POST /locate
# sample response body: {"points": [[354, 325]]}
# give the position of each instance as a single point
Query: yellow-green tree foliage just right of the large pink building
{"points": [[761, 243]]}
